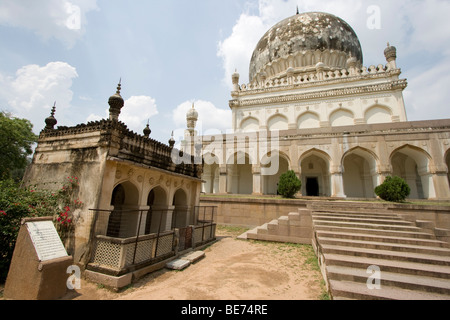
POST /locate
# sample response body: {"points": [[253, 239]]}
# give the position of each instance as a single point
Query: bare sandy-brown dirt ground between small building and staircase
{"points": [[231, 270]]}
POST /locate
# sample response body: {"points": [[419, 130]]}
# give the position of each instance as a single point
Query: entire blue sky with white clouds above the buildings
{"points": [[172, 53]]}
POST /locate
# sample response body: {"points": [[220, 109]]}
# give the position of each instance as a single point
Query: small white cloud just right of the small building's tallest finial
{"points": [[137, 111]]}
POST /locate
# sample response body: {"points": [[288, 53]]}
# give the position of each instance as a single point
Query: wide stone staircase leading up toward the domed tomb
{"points": [[412, 264]]}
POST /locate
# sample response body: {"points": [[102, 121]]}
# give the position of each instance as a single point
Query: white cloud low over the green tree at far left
{"points": [[31, 92]]}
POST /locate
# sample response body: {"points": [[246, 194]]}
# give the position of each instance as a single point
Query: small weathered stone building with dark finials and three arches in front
{"points": [[129, 185]]}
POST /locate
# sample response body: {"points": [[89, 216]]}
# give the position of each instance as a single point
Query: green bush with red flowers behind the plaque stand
{"points": [[17, 203]]}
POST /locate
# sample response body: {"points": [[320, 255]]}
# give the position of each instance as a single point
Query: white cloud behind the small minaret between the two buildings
{"points": [[210, 118]]}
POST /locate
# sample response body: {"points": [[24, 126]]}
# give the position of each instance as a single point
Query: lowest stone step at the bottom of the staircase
{"points": [[354, 290]]}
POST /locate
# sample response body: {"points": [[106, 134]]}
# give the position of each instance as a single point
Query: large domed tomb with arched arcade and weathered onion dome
{"points": [[312, 106]]}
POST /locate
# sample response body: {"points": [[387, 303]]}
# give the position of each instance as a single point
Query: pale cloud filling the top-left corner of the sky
{"points": [[61, 19]]}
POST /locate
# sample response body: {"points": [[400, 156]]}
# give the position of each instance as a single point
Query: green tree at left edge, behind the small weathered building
{"points": [[16, 145]]}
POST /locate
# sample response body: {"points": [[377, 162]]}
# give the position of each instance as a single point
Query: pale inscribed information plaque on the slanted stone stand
{"points": [[46, 240]]}
